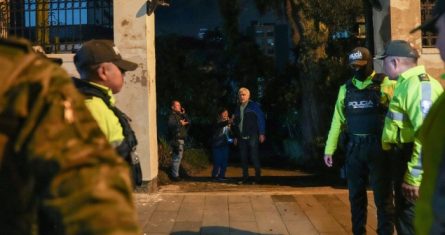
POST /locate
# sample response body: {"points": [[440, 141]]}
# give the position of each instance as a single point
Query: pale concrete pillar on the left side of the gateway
{"points": [[134, 35]]}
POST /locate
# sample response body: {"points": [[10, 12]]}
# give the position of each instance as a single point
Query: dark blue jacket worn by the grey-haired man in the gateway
{"points": [[254, 123]]}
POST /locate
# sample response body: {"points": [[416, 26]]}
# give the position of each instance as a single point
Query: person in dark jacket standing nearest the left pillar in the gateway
{"points": [[178, 124]]}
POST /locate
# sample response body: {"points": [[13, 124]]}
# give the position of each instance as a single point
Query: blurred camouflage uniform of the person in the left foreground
{"points": [[58, 174]]}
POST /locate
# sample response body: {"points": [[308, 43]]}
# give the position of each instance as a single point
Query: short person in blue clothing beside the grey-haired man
{"points": [[221, 141]]}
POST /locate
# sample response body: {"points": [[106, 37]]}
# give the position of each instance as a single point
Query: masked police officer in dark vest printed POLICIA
{"points": [[360, 108]]}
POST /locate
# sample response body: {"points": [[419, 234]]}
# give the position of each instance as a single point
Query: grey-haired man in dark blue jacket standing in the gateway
{"points": [[250, 131]]}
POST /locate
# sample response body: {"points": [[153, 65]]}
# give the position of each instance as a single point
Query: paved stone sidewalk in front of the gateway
{"points": [[306, 211]]}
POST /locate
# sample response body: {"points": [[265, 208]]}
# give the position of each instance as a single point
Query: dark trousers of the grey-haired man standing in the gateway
{"points": [[249, 147]]}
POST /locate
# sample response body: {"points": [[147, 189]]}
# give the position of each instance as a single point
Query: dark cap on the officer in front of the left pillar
{"points": [[95, 52]]}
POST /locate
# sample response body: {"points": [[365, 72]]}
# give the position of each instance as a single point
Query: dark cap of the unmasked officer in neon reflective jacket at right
{"points": [[399, 48]]}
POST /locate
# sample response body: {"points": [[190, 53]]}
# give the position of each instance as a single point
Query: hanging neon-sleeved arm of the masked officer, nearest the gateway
{"points": [[338, 119]]}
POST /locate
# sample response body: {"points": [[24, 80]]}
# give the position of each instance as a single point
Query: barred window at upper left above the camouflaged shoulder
{"points": [[59, 26]]}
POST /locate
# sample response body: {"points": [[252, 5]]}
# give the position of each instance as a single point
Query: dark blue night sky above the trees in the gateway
{"points": [[186, 17]]}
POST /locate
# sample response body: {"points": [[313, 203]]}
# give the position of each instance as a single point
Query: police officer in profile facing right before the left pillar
{"points": [[102, 70]]}
